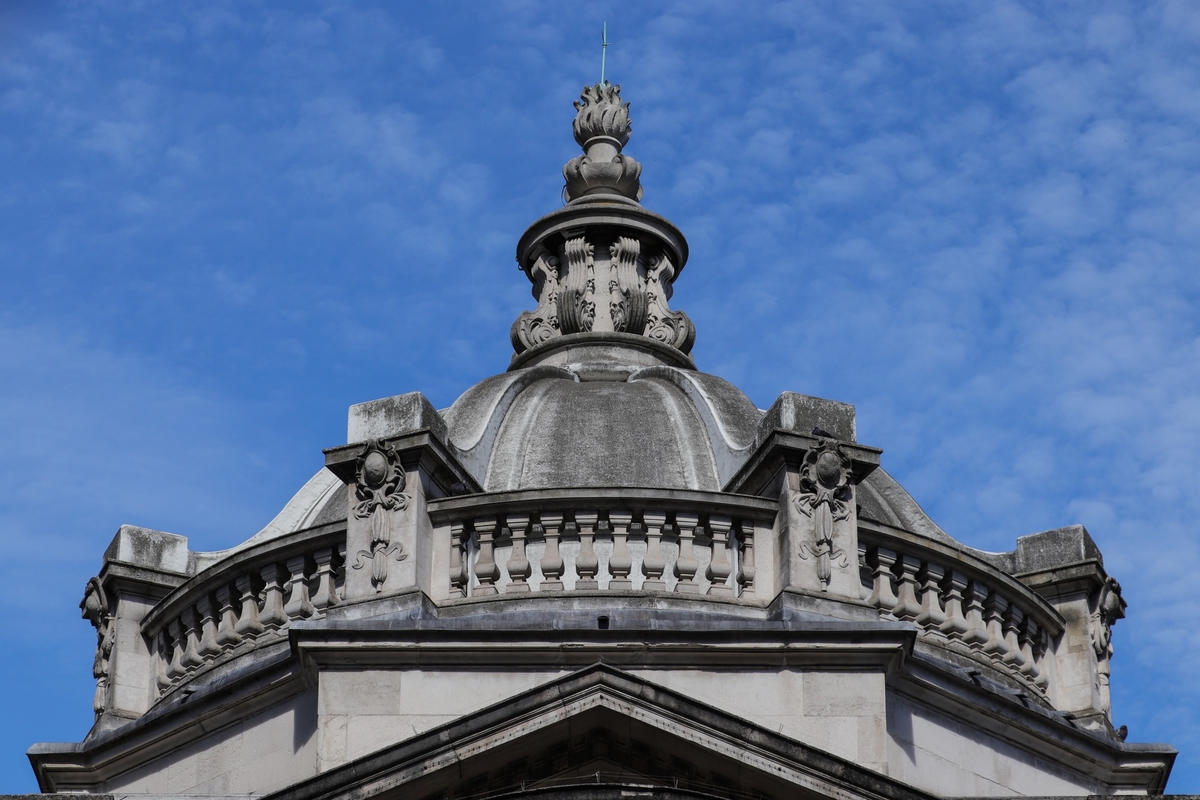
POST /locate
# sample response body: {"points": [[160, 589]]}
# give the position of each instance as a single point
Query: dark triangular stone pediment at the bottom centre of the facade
{"points": [[599, 727]]}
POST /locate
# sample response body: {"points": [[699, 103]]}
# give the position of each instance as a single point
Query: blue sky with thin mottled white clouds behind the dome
{"points": [[224, 224]]}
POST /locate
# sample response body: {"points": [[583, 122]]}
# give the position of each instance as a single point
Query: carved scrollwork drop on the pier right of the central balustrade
{"points": [[825, 497]]}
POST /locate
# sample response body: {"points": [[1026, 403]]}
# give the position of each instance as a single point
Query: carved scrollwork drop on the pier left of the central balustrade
{"points": [[380, 491]]}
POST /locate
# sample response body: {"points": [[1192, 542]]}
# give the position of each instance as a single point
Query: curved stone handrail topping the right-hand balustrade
{"points": [[873, 534]]}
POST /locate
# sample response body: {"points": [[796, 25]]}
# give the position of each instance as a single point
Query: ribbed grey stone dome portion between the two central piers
{"points": [[610, 413]]}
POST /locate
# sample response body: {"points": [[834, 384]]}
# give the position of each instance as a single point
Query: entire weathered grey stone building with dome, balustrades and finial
{"points": [[603, 574]]}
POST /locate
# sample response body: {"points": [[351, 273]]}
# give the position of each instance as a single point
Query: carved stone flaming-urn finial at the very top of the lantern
{"points": [[602, 128]]}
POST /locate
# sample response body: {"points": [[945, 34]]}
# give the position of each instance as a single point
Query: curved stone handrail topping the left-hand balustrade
{"points": [[277, 550]]}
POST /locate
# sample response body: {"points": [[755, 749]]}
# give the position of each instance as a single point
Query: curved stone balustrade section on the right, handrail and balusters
{"points": [[962, 604]]}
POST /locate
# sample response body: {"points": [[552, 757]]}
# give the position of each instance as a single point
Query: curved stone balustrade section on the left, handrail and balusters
{"points": [[244, 601]]}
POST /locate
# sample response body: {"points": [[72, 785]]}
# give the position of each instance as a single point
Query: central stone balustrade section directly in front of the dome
{"points": [[616, 540]]}
